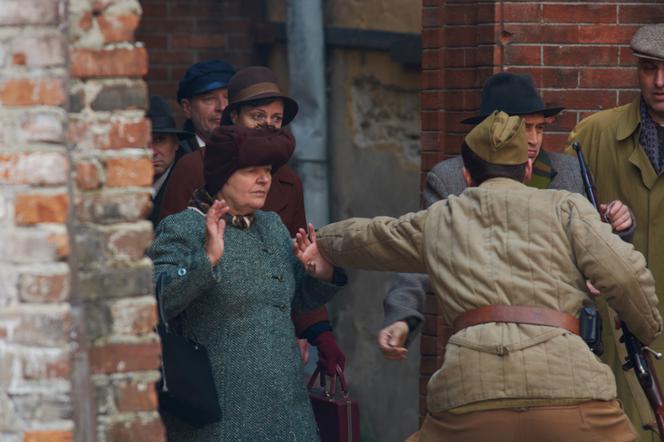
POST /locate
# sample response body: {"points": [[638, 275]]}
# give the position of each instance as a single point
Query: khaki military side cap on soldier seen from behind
{"points": [[500, 139]]}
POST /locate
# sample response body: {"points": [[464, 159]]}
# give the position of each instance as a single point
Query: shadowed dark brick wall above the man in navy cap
{"points": [[178, 33]]}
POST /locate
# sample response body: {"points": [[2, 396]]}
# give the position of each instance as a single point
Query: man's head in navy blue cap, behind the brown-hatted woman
{"points": [[203, 96]]}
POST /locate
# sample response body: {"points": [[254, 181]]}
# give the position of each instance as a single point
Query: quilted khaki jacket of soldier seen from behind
{"points": [[505, 243]]}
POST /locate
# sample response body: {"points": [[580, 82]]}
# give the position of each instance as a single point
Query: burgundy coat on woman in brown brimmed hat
{"points": [[285, 197]]}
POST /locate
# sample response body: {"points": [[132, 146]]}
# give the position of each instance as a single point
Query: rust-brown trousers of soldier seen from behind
{"points": [[601, 421]]}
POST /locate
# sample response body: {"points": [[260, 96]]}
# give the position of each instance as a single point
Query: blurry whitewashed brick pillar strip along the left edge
{"points": [[35, 317]]}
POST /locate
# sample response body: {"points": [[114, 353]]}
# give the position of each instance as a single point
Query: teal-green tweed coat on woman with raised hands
{"points": [[240, 310]]}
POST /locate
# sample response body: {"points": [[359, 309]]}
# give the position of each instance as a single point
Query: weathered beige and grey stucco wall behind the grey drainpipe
{"points": [[373, 140]]}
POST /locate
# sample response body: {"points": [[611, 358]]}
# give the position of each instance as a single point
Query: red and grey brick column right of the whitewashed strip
{"points": [[111, 188]]}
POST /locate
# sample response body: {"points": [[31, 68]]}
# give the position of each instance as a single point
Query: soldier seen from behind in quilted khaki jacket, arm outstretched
{"points": [[510, 265]]}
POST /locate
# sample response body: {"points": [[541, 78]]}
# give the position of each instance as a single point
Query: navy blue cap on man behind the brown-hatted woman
{"points": [[203, 77]]}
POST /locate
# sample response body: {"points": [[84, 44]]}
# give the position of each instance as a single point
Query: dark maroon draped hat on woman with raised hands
{"points": [[235, 147]]}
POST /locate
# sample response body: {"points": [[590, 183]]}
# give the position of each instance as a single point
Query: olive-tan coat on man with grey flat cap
{"points": [[622, 170]]}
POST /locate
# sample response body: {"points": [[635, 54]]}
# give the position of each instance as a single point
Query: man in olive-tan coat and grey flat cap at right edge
{"points": [[624, 147]]}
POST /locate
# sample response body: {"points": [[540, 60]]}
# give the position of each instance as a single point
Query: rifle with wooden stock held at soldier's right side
{"points": [[639, 356]]}
